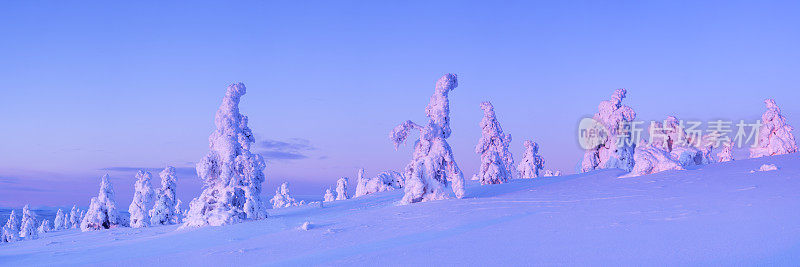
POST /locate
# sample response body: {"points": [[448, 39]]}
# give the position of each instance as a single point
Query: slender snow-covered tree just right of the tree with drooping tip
{"points": [[496, 161]]}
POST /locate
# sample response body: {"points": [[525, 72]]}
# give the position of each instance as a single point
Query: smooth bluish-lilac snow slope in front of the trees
{"points": [[713, 214]]}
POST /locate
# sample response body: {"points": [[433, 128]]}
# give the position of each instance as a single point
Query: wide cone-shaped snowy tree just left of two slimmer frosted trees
{"points": [[102, 213]]}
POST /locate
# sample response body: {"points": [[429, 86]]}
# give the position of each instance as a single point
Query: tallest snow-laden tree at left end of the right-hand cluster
{"points": [[614, 149]]}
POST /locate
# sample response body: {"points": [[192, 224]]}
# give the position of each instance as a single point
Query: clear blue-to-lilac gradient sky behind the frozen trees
{"points": [[90, 88]]}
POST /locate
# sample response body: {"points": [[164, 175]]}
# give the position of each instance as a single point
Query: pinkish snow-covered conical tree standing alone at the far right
{"points": [[775, 135]]}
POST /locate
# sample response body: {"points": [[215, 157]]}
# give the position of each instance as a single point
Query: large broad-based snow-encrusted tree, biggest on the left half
{"points": [[231, 173]]}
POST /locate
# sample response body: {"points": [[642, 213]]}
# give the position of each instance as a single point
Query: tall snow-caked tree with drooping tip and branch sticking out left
{"points": [[432, 165]]}
